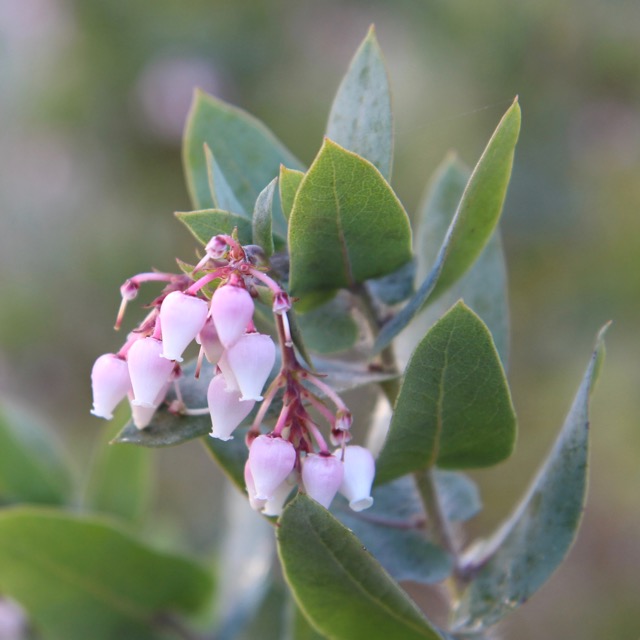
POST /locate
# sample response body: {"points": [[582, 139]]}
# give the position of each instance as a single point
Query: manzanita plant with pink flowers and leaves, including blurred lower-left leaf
{"points": [[306, 282]]}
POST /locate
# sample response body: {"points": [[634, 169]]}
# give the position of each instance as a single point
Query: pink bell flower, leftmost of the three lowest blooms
{"points": [[271, 460]]}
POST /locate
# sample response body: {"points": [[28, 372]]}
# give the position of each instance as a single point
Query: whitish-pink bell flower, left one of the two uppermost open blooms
{"points": [[182, 317]]}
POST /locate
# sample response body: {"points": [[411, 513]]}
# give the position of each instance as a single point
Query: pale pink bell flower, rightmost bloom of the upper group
{"points": [[251, 359]]}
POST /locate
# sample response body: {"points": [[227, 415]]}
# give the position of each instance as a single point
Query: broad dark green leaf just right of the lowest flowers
{"points": [[454, 408]]}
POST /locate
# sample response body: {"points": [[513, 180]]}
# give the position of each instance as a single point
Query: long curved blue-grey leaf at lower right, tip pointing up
{"points": [[521, 556]]}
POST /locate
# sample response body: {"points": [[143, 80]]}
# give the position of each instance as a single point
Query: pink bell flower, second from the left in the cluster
{"points": [[149, 372]]}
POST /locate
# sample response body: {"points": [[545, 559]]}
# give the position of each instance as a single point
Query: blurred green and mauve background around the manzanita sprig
{"points": [[92, 103]]}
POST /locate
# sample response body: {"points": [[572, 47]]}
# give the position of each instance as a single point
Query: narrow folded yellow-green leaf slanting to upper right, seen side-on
{"points": [[473, 224]]}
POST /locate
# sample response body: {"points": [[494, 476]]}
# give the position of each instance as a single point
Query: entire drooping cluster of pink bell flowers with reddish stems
{"points": [[221, 322]]}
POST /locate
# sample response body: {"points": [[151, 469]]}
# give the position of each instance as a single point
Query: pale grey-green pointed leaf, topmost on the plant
{"points": [[360, 118]]}
